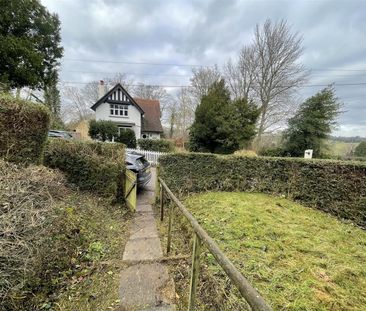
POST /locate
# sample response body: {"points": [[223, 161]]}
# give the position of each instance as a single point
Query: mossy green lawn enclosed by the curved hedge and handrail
{"points": [[298, 258]]}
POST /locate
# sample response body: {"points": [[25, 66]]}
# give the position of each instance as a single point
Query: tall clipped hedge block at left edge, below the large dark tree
{"points": [[23, 130]]}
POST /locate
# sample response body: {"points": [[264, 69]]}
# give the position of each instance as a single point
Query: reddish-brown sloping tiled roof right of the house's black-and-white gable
{"points": [[151, 119]]}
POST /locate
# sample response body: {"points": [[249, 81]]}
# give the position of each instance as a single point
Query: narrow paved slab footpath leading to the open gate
{"points": [[145, 284]]}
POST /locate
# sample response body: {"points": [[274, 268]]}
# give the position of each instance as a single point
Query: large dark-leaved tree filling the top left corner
{"points": [[30, 44]]}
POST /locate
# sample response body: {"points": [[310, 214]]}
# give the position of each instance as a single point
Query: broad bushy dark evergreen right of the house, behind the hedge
{"points": [[220, 125]]}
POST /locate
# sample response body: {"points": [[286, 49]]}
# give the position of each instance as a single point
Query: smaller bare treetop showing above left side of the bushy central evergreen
{"points": [[202, 79]]}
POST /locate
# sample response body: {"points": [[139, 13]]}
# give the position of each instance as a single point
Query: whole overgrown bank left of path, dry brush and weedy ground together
{"points": [[60, 248]]}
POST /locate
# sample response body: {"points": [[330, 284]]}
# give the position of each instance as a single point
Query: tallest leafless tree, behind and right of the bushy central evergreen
{"points": [[268, 71]]}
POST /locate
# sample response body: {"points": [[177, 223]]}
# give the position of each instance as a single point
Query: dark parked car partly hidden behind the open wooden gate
{"points": [[137, 163]]}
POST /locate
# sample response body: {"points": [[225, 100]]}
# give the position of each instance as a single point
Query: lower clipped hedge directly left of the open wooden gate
{"points": [[93, 166]]}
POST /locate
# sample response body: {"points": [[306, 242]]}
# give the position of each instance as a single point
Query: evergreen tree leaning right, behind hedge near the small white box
{"points": [[312, 124]]}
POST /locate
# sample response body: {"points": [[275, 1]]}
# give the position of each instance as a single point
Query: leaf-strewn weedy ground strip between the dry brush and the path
{"points": [[95, 283]]}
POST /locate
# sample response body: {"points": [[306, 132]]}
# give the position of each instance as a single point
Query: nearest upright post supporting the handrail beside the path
{"points": [[197, 244]]}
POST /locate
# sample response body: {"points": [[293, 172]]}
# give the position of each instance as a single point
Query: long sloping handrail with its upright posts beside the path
{"points": [[248, 292]]}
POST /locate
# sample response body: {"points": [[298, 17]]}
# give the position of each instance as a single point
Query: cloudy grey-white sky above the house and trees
{"points": [[208, 33]]}
